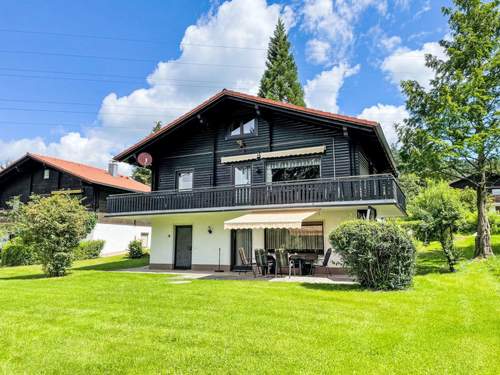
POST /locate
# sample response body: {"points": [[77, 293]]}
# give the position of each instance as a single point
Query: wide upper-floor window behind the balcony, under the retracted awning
{"points": [[293, 170]]}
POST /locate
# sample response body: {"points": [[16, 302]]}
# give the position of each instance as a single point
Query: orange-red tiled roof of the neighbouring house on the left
{"points": [[84, 172]]}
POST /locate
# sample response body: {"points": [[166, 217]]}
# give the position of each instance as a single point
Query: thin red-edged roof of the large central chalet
{"points": [[255, 99]]}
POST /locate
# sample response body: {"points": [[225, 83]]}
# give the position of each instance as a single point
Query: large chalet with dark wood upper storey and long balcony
{"points": [[243, 172]]}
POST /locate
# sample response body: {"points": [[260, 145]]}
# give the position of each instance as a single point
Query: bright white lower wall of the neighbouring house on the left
{"points": [[117, 236]]}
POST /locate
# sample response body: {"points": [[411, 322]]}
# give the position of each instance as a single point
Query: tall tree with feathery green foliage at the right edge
{"points": [[453, 129]]}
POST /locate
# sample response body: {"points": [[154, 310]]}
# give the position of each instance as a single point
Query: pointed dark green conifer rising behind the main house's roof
{"points": [[280, 80]]}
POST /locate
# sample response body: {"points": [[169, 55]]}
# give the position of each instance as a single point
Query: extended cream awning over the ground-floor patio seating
{"points": [[273, 219]]}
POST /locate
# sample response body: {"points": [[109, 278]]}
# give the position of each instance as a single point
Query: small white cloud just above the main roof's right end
{"points": [[387, 116]]}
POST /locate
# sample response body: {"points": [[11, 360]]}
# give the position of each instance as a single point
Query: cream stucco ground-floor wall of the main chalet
{"points": [[206, 246]]}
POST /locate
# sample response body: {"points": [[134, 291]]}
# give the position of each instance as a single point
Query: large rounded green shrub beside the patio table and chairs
{"points": [[381, 255]]}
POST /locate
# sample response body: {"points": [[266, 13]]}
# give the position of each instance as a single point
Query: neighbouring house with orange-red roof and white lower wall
{"points": [[44, 175]]}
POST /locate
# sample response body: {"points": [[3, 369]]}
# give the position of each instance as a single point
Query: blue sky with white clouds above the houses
{"points": [[81, 80]]}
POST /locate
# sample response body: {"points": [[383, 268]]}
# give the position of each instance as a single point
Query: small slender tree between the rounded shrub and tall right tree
{"points": [[440, 211]]}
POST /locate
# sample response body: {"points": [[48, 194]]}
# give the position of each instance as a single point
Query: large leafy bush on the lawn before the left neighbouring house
{"points": [[53, 227]]}
